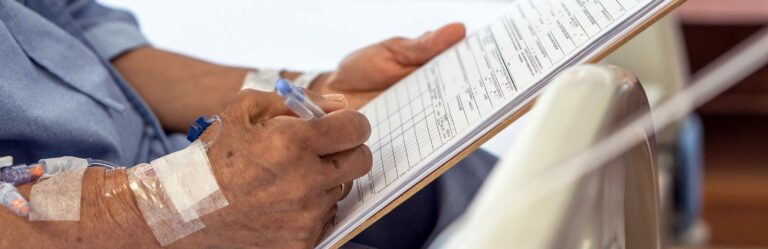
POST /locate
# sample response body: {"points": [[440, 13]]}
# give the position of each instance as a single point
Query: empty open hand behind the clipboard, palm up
{"points": [[367, 72]]}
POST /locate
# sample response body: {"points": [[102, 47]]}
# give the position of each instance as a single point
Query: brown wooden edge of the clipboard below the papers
{"points": [[476, 145]]}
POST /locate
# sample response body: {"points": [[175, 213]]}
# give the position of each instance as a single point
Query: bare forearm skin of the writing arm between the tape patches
{"points": [[109, 218]]}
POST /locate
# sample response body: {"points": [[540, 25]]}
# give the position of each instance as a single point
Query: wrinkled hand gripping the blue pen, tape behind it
{"points": [[282, 175]]}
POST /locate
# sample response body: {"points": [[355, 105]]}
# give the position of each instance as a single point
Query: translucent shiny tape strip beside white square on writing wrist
{"points": [[159, 213]]}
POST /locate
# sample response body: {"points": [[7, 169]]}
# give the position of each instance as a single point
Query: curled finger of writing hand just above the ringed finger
{"points": [[345, 167]]}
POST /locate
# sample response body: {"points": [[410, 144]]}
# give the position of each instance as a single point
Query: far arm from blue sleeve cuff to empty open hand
{"points": [[179, 88]]}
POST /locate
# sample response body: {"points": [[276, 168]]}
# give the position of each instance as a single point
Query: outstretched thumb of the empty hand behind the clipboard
{"points": [[414, 52]]}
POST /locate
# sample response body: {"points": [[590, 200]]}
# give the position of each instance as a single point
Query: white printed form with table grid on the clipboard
{"points": [[422, 121]]}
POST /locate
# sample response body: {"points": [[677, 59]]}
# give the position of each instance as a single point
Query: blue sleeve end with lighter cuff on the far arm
{"points": [[111, 32]]}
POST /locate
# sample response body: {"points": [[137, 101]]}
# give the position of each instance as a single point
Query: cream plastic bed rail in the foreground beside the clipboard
{"points": [[534, 200]]}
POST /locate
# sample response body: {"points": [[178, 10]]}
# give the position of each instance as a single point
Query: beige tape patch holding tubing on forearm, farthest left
{"points": [[58, 197]]}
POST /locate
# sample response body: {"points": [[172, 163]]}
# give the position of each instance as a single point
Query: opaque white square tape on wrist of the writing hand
{"points": [[189, 181]]}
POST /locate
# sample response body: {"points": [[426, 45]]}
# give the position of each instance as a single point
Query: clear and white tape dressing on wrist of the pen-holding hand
{"points": [[174, 191]]}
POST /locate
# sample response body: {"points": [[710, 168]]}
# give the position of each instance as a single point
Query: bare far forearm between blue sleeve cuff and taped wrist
{"points": [[178, 88]]}
